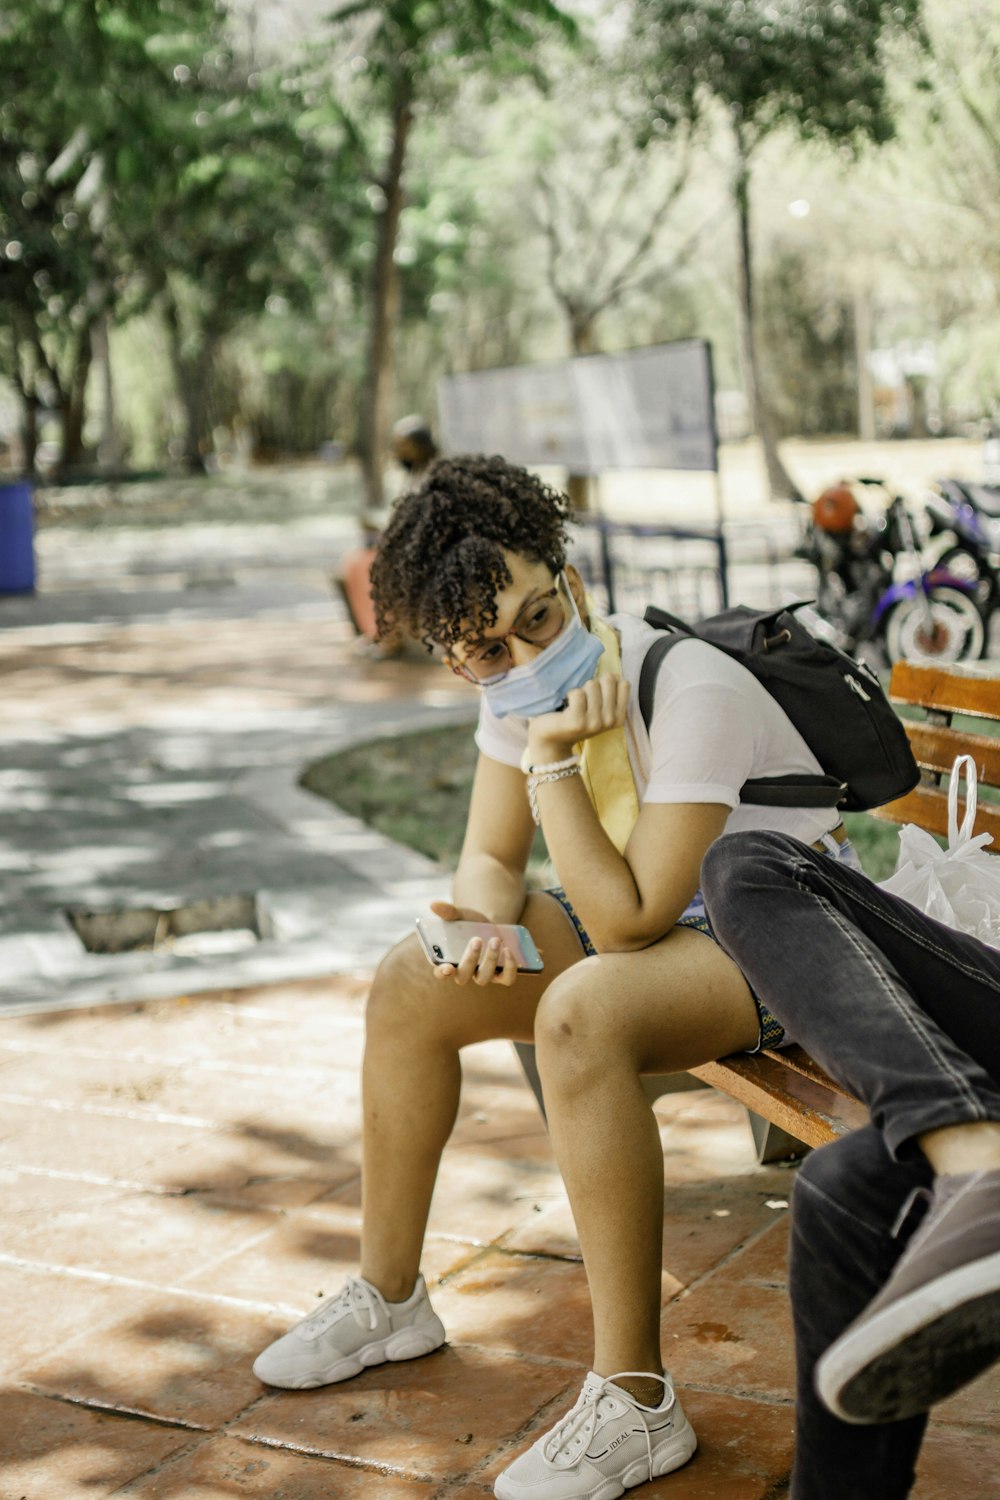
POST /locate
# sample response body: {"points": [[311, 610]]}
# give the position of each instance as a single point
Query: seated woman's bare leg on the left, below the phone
{"points": [[412, 1079]]}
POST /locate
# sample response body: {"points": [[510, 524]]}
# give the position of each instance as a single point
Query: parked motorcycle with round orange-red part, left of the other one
{"points": [[875, 589]]}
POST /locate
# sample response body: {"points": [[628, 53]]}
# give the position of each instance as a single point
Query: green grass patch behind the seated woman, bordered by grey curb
{"points": [[418, 788]]}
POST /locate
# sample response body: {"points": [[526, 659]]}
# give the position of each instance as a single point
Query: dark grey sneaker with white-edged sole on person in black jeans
{"points": [[936, 1324]]}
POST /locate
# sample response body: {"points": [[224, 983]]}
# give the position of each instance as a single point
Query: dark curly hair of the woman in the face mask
{"points": [[440, 563]]}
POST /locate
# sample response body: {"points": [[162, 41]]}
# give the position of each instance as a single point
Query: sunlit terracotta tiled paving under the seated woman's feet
{"points": [[179, 1181]]}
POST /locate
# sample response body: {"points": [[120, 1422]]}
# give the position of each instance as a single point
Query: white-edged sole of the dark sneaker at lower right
{"points": [[917, 1351]]}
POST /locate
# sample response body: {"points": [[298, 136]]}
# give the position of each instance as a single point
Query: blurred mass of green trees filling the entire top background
{"points": [[463, 173]]}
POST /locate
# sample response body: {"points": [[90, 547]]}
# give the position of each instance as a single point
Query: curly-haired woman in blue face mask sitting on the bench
{"points": [[475, 563]]}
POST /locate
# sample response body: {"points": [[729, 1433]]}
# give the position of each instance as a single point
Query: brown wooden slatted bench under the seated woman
{"points": [[792, 1102]]}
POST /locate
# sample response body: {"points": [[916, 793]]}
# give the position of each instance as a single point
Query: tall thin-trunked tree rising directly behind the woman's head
{"points": [[410, 58]]}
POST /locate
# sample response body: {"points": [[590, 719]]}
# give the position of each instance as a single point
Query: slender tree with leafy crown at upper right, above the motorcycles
{"points": [[813, 67]]}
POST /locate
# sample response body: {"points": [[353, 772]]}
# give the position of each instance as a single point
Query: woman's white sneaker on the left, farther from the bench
{"points": [[350, 1333]]}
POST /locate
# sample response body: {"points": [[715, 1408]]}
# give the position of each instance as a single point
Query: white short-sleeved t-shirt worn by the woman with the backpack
{"points": [[714, 727]]}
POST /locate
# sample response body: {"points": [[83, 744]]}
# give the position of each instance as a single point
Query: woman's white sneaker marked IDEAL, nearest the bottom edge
{"points": [[606, 1444]]}
